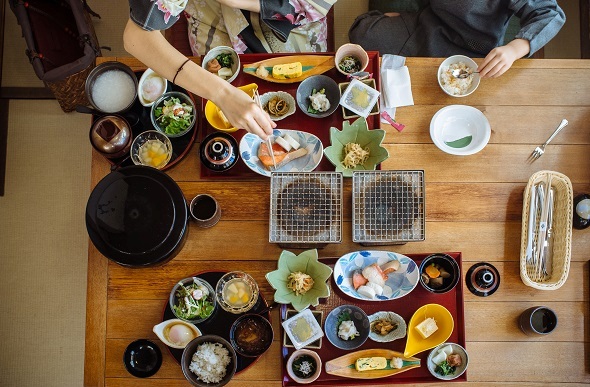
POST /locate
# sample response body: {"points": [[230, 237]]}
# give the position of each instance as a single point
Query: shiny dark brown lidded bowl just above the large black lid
{"points": [[111, 136]]}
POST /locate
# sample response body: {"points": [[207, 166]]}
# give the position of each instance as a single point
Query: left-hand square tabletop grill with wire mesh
{"points": [[306, 207]]}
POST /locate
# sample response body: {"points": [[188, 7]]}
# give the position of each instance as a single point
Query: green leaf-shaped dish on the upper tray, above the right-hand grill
{"points": [[357, 132]]}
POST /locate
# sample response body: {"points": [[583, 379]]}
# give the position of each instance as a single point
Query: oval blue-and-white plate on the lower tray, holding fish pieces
{"points": [[397, 285]]}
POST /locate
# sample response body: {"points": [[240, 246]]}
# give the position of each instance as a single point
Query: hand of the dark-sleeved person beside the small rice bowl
{"points": [[500, 59]]}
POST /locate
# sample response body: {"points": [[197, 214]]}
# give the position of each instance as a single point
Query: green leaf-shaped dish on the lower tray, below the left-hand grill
{"points": [[306, 262]]}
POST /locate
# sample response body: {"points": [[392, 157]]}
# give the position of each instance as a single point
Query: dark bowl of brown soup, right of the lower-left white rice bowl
{"points": [[251, 335]]}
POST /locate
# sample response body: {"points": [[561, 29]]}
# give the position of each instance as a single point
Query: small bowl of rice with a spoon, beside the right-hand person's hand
{"points": [[457, 87]]}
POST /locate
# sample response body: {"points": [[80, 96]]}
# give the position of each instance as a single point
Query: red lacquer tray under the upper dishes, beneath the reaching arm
{"points": [[298, 121]]}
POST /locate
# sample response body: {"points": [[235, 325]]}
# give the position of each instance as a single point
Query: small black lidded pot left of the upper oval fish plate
{"points": [[219, 151]]}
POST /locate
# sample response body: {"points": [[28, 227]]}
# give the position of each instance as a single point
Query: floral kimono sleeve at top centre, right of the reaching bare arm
{"points": [[285, 15]]}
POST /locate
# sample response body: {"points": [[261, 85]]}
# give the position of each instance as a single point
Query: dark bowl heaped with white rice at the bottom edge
{"points": [[209, 361]]}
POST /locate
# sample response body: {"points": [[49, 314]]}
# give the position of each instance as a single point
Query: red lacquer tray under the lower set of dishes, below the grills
{"points": [[405, 307]]}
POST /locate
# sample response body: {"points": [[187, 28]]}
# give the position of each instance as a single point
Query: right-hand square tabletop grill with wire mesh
{"points": [[388, 207]]}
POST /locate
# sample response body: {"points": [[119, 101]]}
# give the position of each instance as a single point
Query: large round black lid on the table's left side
{"points": [[136, 216]]}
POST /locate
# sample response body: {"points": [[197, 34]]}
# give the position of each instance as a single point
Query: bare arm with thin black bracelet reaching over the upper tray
{"points": [[151, 48]]}
